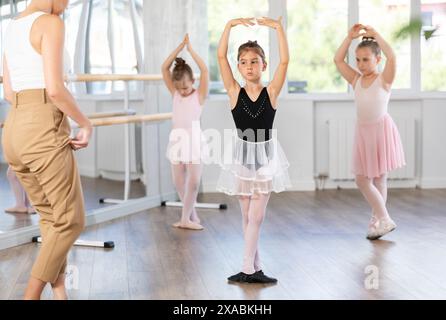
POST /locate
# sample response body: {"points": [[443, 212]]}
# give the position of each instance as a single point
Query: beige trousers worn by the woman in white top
{"points": [[36, 145]]}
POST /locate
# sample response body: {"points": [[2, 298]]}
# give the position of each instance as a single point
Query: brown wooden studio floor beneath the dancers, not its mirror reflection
{"points": [[313, 242]]}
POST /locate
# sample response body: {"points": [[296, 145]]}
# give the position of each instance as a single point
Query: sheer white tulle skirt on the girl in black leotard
{"points": [[253, 167]]}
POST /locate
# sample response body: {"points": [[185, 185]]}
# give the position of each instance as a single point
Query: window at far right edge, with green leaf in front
{"points": [[433, 50]]}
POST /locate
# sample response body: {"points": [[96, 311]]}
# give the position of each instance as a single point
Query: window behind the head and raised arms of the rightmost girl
{"points": [[387, 17]]}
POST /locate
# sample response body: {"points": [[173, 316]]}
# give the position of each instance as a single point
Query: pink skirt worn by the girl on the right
{"points": [[377, 148]]}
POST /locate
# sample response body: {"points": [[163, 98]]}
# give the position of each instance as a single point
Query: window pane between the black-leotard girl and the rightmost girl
{"points": [[316, 28]]}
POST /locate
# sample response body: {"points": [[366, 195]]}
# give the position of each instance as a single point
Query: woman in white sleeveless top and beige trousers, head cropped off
{"points": [[36, 137]]}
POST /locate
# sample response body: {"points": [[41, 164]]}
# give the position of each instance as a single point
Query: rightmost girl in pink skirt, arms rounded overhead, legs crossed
{"points": [[377, 148]]}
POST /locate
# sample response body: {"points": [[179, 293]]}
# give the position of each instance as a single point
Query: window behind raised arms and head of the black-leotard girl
{"points": [[219, 13]]}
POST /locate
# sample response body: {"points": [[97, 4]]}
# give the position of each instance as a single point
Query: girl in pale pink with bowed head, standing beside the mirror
{"points": [[188, 104]]}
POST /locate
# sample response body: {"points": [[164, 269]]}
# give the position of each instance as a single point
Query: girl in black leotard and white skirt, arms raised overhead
{"points": [[257, 165]]}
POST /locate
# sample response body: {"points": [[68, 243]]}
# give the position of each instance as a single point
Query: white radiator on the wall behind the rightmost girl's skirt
{"points": [[341, 132]]}
